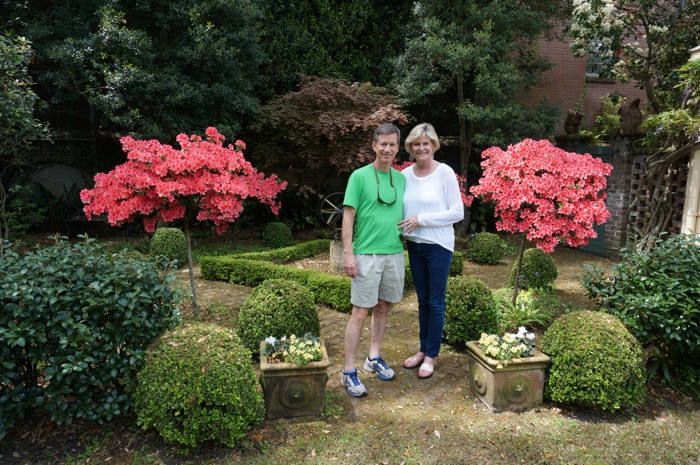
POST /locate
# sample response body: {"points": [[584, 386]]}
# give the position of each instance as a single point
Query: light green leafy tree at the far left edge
{"points": [[19, 128]]}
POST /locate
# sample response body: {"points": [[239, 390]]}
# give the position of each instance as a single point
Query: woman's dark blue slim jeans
{"points": [[430, 267]]}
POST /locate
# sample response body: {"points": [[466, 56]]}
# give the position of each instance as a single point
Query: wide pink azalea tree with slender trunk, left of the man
{"points": [[202, 180]]}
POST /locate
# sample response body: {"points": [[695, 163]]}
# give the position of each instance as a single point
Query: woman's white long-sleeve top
{"points": [[437, 202]]}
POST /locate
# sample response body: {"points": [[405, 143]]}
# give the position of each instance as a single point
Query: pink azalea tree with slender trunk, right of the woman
{"points": [[544, 193]]}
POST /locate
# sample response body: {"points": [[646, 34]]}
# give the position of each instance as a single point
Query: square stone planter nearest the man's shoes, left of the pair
{"points": [[292, 390]]}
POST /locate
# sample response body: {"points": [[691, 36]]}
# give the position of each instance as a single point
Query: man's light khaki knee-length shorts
{"points": [[379, 277]]}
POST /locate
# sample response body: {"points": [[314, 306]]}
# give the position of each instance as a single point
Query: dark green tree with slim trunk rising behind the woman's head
{"points": [[475, 58]]}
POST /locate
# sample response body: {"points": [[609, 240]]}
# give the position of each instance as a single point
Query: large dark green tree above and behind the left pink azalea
{"points": [[149, 68]]}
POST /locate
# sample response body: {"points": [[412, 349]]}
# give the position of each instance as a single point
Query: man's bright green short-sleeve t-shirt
{"points": [[376, 230]]}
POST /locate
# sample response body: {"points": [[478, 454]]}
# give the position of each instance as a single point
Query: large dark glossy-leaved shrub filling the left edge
{"points": [[74, 328]]}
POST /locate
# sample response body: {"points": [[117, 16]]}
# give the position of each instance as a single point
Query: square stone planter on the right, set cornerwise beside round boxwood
{"points": [[517, 385]]}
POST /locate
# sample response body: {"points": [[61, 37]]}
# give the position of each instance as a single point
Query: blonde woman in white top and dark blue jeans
{"points": [[432, 204]]}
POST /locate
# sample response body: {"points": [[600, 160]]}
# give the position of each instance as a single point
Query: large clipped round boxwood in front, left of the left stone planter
{"points": [[198, 384]]}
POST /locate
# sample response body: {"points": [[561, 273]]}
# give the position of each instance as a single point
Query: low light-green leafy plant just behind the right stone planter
{"points": [[532, 308]]}
